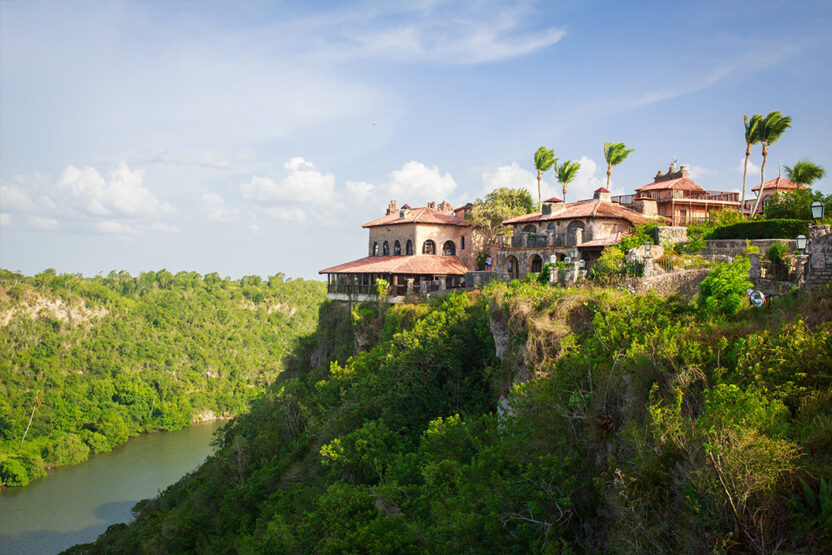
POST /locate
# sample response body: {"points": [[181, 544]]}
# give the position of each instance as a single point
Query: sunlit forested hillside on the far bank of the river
{"points": [[86, 363]]}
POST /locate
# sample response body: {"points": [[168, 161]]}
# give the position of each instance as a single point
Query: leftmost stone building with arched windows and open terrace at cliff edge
{"points": [[416, 250]]}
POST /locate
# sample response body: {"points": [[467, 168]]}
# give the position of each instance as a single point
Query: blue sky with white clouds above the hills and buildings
{"points": [[257, 137]]}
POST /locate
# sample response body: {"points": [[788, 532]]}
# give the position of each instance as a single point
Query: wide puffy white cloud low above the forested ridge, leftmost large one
{"points": [[121, 195]]}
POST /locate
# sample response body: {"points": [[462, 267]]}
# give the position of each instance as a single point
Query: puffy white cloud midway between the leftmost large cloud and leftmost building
{"points": [[302, 184]]}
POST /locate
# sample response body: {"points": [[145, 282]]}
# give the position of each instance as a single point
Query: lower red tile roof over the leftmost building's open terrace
{"points": [[421, 264]]}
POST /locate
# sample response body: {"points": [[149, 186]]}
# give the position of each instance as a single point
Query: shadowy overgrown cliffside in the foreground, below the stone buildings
{"points": [[524, 418]]}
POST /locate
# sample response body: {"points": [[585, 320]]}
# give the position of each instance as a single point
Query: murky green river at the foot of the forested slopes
{"points": [[76, 504]]}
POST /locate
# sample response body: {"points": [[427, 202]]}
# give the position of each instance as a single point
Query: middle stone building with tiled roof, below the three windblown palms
{"points": [[585, 227]]}
